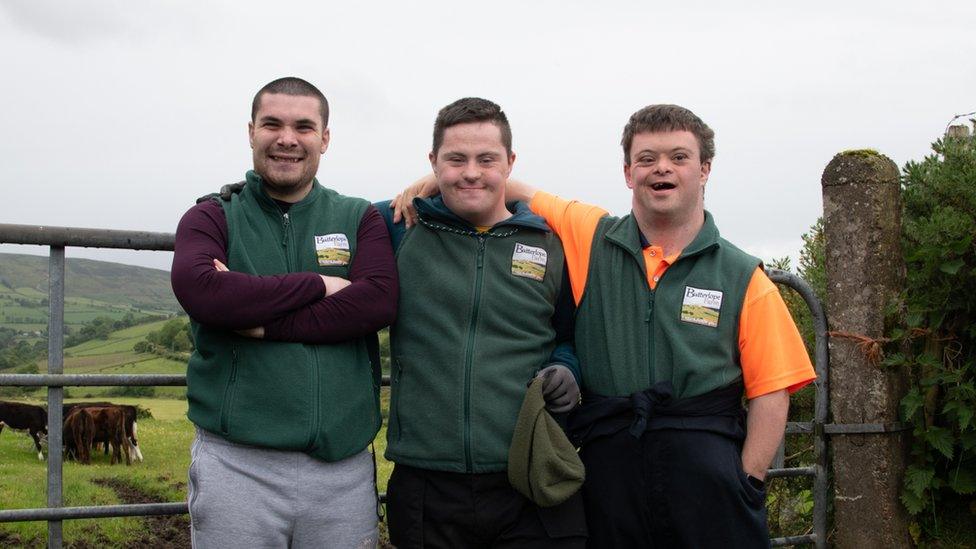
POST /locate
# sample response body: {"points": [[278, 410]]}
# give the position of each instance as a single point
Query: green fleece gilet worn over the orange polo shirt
{"points": [[629, 337]]}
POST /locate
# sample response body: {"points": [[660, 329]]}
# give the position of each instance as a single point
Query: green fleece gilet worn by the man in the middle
{"points": [[473, 328]]}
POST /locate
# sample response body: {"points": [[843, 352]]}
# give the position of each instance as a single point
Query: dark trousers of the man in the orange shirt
{"points": [[671, 489]]}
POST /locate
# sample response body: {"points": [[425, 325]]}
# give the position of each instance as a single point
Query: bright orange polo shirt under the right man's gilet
{"points": [[771, 350]]}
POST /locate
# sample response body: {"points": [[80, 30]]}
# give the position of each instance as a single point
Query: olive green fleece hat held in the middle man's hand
{"points": [[542, 464]]}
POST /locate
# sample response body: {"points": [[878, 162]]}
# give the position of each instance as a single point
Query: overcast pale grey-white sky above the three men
{"points": [[118, 114]]}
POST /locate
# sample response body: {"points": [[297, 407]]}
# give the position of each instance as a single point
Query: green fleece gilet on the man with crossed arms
{"points": [[318, 399]]}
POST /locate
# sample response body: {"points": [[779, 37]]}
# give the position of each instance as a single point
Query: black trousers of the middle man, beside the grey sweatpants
{"points": [[435, 509]]}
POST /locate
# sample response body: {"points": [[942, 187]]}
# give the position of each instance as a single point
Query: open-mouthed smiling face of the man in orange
{"points": [[667, 177]]}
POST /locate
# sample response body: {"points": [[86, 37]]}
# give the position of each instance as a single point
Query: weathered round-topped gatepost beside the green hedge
{"points": [[865, 270]]}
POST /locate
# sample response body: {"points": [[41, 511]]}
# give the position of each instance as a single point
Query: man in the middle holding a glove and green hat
{"points": [[485, 306]]}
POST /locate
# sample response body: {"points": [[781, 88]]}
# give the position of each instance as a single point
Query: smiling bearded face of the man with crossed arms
{"points": [[287, 138]]}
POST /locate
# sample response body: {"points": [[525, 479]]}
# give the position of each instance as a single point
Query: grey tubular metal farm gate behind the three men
{"points": [[57, 238]]}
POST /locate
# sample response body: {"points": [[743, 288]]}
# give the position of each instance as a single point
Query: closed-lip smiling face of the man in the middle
{"points": [[471, 167]]}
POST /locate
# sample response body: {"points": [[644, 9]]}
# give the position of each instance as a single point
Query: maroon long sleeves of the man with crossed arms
{"points": [[292, 306]]}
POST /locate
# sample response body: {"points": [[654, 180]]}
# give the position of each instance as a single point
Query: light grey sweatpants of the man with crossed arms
{"points": [[243, 497]]}
